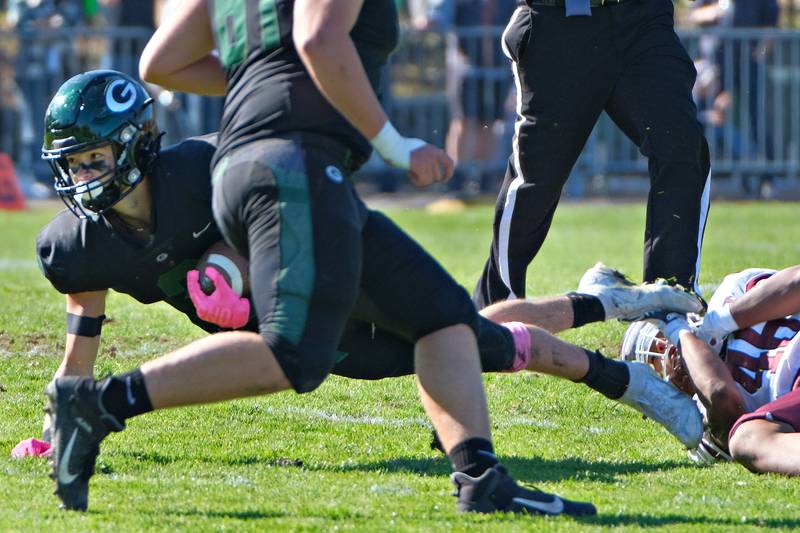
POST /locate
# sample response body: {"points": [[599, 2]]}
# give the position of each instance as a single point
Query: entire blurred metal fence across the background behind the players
{"points": [[434, 78]]}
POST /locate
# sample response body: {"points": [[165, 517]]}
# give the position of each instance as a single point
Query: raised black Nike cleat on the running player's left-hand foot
{"points": [[79, 424]]}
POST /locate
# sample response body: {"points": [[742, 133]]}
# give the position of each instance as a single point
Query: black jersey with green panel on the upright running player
{"points": [[269, 89]]}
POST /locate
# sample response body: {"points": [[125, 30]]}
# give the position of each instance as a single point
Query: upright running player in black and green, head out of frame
{"points": [[283, 199]]}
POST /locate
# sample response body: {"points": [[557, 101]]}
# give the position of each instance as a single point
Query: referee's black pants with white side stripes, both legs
{"points": [[627, 60]]}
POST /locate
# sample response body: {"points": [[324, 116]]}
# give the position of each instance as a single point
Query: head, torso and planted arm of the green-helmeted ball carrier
{"points": [[142, 216]]}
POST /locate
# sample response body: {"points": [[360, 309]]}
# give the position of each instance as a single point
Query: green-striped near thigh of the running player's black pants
{"points": [[276, 204]]}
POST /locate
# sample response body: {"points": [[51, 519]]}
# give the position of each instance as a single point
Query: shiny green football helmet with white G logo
{"points": [[94, 109]]}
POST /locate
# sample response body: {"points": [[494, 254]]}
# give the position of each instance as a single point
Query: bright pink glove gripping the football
{"points": [[222, 307]]}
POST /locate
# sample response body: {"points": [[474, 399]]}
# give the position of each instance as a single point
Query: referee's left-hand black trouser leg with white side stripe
{"points": [[564, 69]]}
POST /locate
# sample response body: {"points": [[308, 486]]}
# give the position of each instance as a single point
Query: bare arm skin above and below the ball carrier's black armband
{"points": [[80, 352]]}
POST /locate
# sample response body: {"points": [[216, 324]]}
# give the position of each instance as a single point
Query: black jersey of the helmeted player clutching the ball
{"points": [[84, 255]]}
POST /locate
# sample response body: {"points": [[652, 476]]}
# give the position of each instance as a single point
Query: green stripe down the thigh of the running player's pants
{"points": [[295, 282]]}
